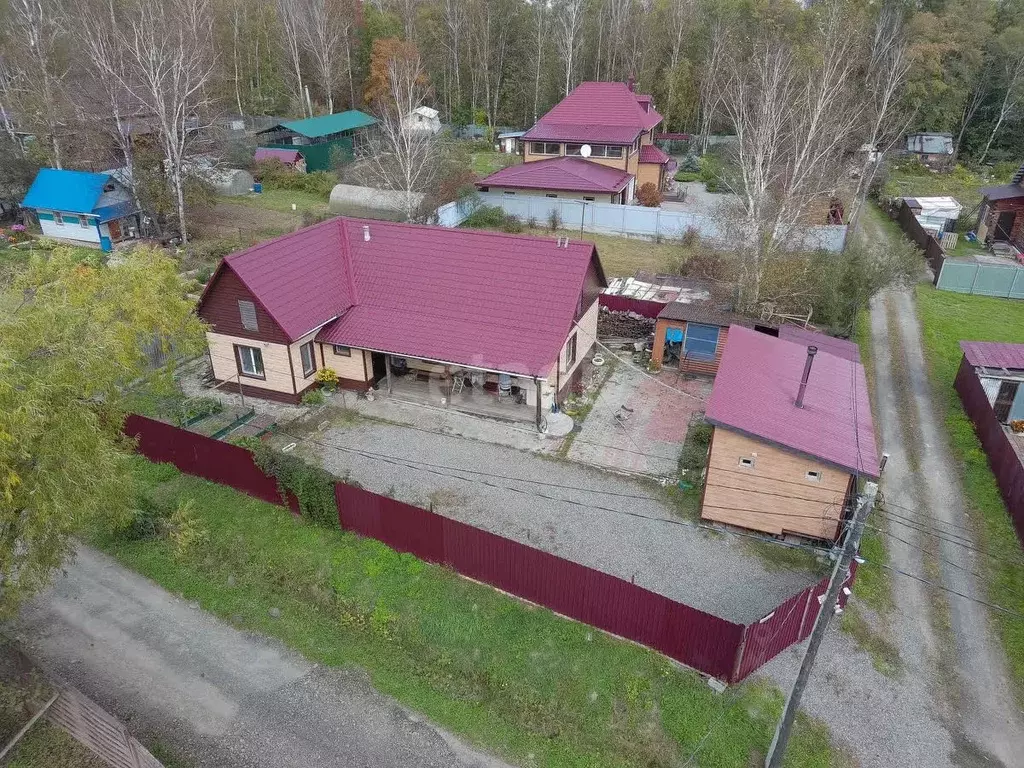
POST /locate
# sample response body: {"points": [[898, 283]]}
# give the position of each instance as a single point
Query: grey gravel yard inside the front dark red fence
{"points": [[619, 529]]}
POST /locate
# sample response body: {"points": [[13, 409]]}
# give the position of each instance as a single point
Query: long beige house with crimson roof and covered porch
{"points": [[371, 301]]}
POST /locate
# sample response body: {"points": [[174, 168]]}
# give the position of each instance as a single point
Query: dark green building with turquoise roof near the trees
{"points": [[318, 139]]}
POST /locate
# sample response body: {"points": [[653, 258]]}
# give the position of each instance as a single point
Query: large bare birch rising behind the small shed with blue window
{"points": [[794, 116]]}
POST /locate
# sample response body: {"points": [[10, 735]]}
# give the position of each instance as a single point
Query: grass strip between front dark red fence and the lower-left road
{"points": [[513, 678]]}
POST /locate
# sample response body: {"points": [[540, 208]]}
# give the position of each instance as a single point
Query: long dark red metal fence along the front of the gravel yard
{"points": [[713, 646]]}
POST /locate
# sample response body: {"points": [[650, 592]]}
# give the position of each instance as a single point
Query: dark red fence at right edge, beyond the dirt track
{"points": [[1002, 457]]}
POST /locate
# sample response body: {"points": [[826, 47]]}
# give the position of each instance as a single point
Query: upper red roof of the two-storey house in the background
{"points": [[608, 113]]}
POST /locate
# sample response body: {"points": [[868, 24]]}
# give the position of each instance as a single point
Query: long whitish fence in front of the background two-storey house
{"points": [[618, 220]]}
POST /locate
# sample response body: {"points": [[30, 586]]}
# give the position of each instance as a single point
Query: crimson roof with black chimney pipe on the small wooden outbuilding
{"points": [[756, 390]]}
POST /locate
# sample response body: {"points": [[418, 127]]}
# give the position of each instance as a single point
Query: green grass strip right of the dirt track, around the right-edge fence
{"points": [[947, 319]]}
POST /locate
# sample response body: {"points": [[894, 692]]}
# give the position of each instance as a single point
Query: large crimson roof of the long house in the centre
{"points": [[489, 301]]}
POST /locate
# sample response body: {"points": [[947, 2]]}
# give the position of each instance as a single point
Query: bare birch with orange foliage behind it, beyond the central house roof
{"points": [[395, 158]]}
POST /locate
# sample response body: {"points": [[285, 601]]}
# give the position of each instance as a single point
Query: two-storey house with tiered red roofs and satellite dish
{"points": [[596, 144]]}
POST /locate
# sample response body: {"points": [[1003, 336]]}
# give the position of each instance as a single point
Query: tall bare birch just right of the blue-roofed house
{"points": [[165, 65]]}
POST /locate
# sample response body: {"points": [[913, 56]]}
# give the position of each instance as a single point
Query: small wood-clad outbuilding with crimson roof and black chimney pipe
{"points": [[793, 435]]}
